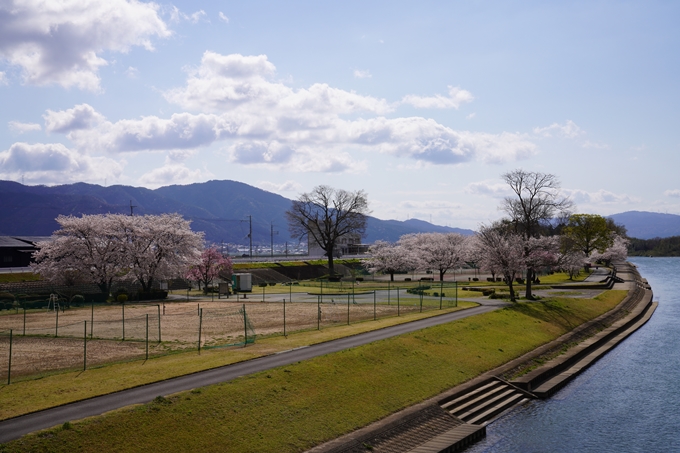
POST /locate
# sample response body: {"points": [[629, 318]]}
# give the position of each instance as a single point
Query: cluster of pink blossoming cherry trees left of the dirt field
{"points": [[108, 248]]}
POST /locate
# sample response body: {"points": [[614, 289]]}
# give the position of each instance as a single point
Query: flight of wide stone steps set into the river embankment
{"points": [[487, 402]]}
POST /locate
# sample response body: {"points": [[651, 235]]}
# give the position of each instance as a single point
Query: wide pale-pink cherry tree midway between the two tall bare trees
{"points": [[440, 251]]}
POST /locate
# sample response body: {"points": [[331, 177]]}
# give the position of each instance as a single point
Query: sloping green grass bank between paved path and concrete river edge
{"points": [[292, 408]]}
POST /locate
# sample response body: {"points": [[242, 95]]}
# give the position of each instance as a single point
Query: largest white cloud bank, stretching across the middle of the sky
{"points": [[268, 123]]}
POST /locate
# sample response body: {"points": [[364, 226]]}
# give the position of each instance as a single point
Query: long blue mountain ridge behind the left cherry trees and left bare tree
{"points": [[218, 208]]}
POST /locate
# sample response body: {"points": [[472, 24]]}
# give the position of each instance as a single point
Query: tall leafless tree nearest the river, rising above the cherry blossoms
{"points": [[537, 201]]}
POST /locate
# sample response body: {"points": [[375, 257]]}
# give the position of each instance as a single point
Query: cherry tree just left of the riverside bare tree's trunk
{"points": [[498, 248]]}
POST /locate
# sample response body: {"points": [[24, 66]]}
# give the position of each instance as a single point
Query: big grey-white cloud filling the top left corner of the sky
{"points": [[62, 42]]}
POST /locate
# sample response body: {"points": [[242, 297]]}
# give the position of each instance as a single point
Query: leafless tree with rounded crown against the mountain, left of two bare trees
{"points": [[325, 215]]}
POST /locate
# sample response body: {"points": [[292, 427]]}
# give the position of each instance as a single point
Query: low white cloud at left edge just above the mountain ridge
{"points": [[48, 162]]}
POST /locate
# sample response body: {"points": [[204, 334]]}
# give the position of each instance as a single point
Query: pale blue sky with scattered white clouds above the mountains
{"points": [[422, 105]]}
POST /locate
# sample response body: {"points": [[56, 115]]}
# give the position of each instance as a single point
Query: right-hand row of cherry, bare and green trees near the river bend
{"points": [[538, 233]]}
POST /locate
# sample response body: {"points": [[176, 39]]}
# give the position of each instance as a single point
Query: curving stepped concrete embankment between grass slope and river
{"points": [[457, 418]]}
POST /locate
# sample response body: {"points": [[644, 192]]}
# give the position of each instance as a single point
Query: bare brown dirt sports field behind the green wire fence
{"points": [[46, 340]]}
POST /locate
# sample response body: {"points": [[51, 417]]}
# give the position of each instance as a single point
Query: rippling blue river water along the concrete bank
{"points": [[629, 401]]}
